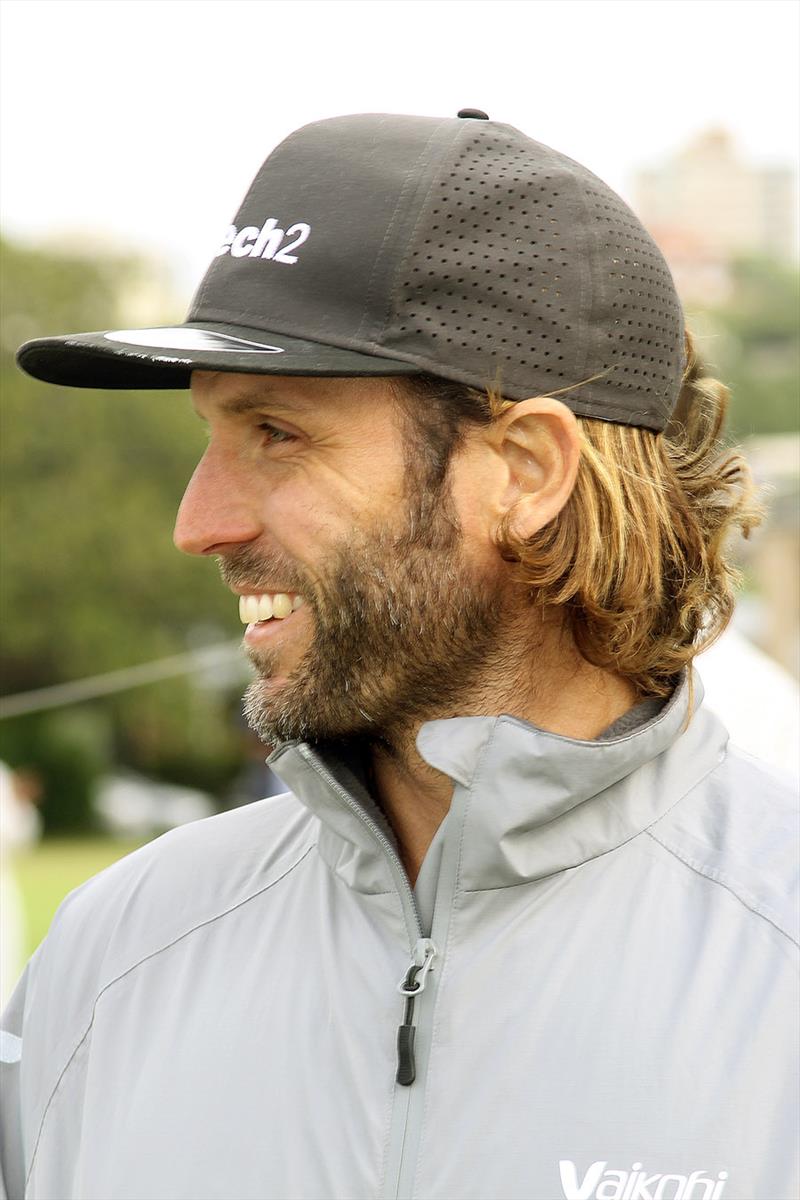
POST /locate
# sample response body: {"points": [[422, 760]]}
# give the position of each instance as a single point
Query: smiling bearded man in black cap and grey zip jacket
{"points": [[522, 926]]}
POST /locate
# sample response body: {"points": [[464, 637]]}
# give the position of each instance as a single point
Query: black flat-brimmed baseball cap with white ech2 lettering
{"points": [[387, 245]]}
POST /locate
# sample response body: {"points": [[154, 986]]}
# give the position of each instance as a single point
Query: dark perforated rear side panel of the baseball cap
{"points": [[527, 269]]}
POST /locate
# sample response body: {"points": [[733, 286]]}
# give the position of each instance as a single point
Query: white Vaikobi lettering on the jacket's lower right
{"points": [[636, 1185]]}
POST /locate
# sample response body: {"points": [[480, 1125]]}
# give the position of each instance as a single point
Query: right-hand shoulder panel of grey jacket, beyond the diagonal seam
{"points": [[741, 827]]}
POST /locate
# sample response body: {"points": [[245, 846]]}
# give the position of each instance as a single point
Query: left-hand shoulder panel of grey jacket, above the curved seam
{"points": [[153, 898]]}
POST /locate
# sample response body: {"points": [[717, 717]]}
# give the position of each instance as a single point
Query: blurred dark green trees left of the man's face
{"points": [[89, 579]]}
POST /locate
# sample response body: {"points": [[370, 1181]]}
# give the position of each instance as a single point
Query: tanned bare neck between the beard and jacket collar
{"points": [[570, 698]]}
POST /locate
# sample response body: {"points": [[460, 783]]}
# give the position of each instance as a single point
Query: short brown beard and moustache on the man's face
{"points": [[404, 631]]}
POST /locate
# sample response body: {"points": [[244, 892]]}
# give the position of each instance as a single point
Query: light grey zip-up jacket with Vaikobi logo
{"points": [[599, 973]]}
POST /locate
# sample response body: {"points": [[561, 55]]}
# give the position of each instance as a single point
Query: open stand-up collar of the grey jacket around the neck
{"points": [[527, 803]]}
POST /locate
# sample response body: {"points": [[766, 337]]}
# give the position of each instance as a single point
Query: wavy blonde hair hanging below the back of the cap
{"points": [[639, 557]]}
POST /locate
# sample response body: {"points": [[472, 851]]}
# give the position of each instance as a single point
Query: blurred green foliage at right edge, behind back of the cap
{"points": [[754, 347]]}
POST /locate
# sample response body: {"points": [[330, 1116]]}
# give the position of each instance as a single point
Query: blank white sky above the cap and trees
{"points": [[146, 121]]}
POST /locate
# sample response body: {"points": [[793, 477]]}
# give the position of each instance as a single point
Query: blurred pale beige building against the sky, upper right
{"points": [[706, 207]]}
